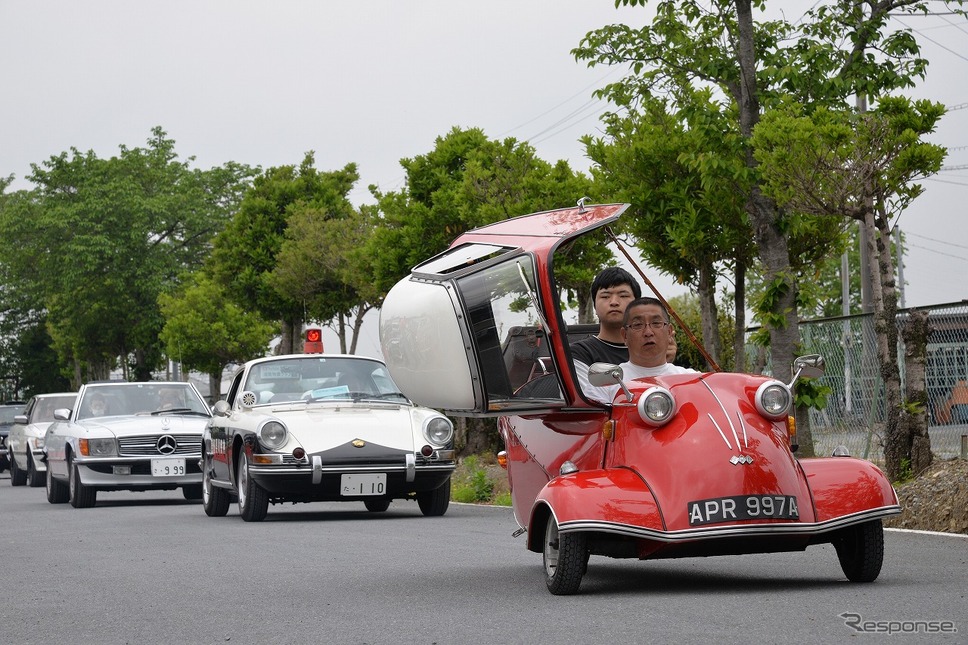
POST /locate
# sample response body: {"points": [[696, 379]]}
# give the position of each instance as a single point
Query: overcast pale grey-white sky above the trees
{"points": [[374, 81]]}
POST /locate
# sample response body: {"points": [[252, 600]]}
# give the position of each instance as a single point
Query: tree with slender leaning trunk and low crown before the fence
{"points": [[863, 167]]}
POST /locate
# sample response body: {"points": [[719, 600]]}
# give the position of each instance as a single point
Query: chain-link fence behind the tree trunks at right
{"points": [[855, 411]]}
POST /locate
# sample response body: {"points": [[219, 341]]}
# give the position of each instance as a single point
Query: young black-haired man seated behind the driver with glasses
{"points": [[612, 290]]}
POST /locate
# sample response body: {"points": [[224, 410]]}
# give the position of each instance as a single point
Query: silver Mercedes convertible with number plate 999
{"points": [[126, 436]]}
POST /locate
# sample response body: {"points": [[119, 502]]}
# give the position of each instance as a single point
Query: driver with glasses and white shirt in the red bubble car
{"points": [[647, 332]]}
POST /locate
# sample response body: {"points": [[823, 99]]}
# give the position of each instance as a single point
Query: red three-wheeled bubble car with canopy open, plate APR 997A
{"points": [[686, 465]]}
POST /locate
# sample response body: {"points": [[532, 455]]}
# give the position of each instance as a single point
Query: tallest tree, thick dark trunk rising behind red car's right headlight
{"points": [[837, 51]]}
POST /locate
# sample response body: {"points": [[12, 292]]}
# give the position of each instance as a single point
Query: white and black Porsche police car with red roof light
{"points": [[323, 427]]}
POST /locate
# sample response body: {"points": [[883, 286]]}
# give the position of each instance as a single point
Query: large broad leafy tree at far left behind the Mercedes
{"points": [[98, 240]]}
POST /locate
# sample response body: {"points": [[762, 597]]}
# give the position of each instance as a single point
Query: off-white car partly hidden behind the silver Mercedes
{"points": [[25, 445]]}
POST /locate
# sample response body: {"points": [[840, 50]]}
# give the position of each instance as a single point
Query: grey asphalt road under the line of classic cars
{"points": [[153, 568]]}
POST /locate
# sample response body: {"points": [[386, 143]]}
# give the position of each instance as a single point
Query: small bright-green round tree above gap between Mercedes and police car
{"points": [[205, 331]]}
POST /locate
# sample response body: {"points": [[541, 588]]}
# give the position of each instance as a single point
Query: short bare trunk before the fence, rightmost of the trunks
{"points": [[914, 415]]}
